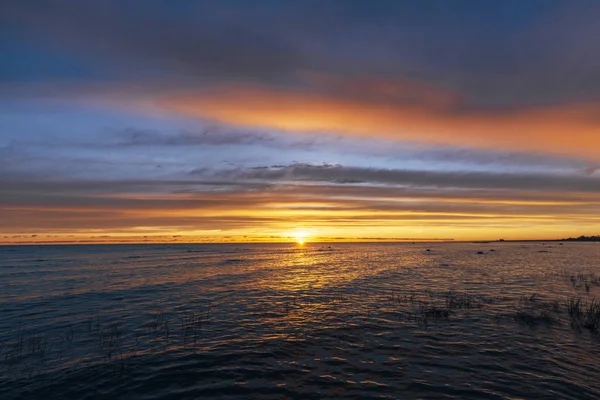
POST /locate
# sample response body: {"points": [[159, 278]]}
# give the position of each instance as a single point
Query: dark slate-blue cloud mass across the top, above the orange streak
{"points": [[495, 54]]}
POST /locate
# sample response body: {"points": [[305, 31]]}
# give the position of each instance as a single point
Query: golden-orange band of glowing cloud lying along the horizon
{"points": [[328, 211]]}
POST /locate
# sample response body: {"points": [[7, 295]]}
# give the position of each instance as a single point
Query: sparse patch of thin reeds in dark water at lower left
{"points": [[98, 340]]}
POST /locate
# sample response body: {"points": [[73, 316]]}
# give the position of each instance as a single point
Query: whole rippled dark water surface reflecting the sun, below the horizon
{"points": [[286, 322]]}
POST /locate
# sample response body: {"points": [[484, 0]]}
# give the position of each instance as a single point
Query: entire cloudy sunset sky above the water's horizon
{"points": [[195, 121]]}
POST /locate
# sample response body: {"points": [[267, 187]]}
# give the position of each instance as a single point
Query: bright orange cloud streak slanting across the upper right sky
{"points": [[401, 112]]}
